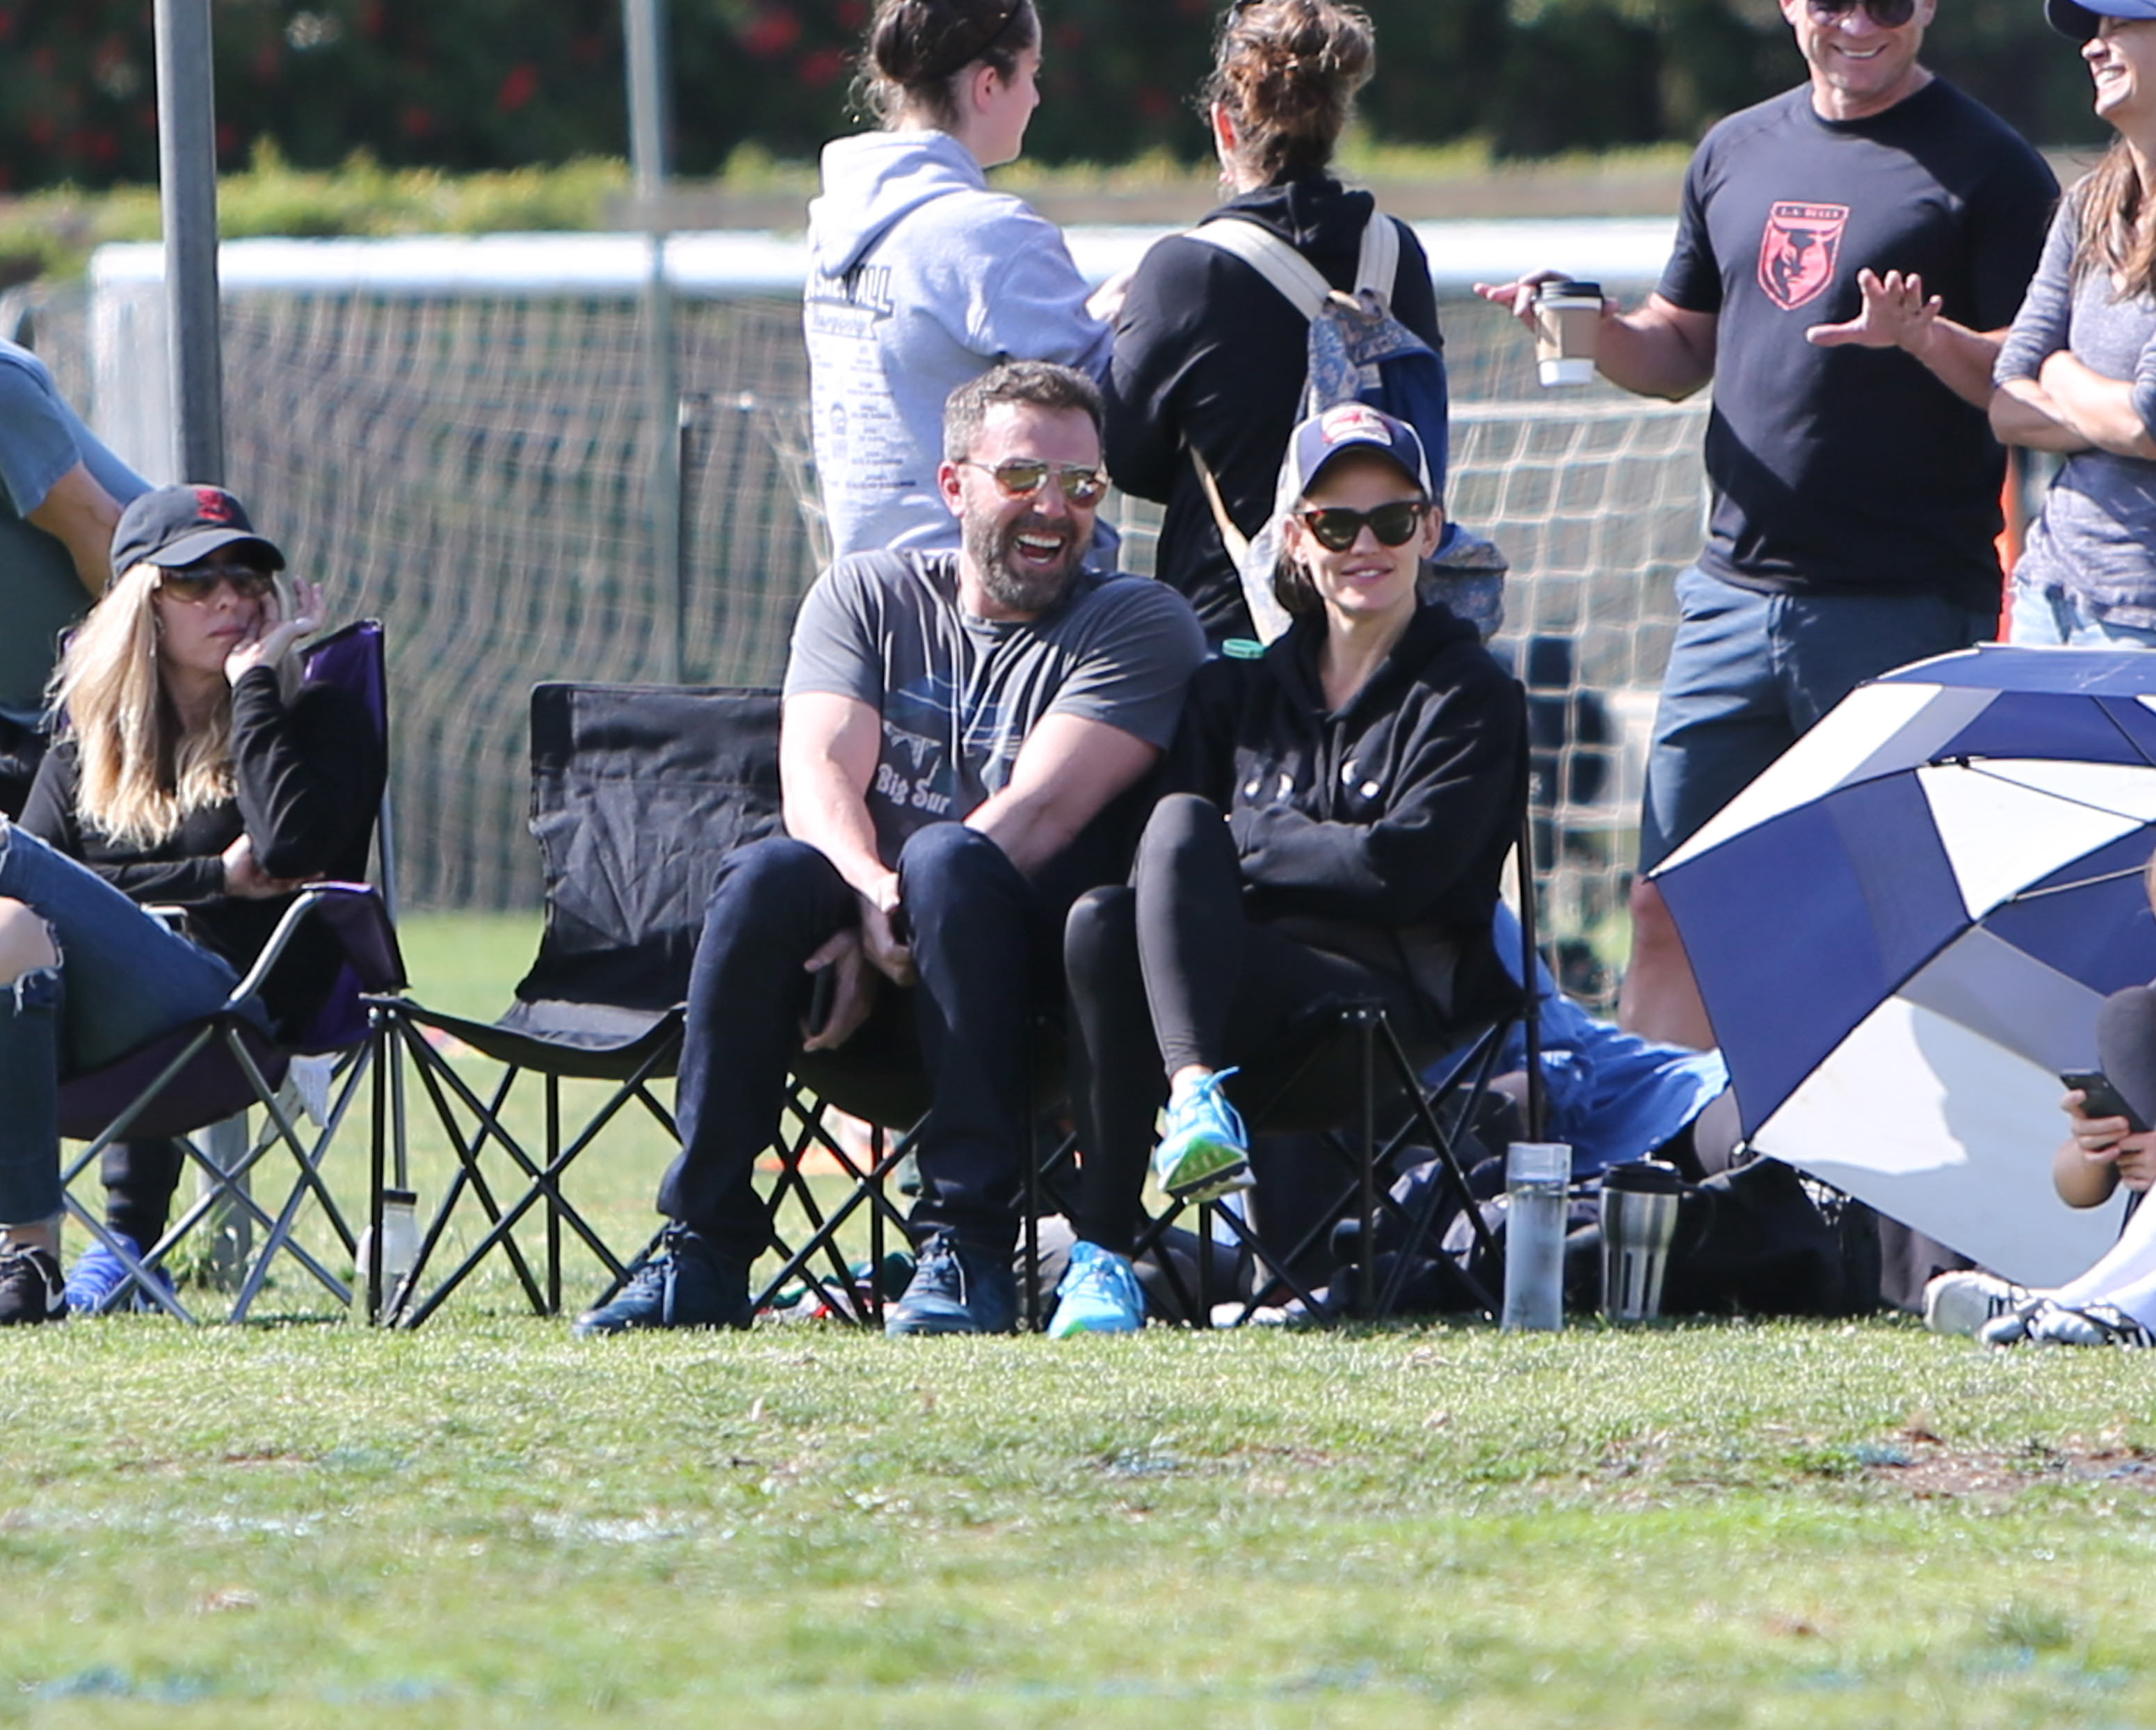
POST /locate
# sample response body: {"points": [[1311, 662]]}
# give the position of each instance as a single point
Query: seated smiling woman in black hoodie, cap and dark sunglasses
{"points": [[1336, 822]]}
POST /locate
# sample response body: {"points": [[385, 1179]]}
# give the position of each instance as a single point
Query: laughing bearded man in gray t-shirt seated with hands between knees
{"points": [[958, 740]]}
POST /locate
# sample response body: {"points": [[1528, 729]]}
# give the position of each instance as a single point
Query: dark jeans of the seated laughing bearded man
{"points": [[984, 947]]}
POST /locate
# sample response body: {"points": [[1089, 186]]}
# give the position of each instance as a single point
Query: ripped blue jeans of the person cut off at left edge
{"points": [[122, 983]]}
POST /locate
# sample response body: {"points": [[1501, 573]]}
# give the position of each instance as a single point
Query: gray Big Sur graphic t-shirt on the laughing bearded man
{"points": [[960, 695]]}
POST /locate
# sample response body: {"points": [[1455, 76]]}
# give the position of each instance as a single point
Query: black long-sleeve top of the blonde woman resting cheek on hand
{"points": [[307, 783]]}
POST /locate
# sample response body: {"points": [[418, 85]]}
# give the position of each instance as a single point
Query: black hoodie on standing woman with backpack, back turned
{"points": [[1211, 354]]}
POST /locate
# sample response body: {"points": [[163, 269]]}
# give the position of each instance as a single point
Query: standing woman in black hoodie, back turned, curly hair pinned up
{"points": [[1208, 354]]}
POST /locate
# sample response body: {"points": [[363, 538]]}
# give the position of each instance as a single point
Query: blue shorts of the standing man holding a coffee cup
{"points": [[1750, 673]]}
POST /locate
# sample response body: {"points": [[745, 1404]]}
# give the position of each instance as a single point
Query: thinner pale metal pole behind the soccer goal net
{"points": [[646, 27]]}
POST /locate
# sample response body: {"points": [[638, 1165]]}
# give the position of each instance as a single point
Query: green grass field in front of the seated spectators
{"points": [[493, 1524]]}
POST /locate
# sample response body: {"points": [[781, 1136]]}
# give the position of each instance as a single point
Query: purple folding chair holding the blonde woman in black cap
{"points": [[225, 1065]]}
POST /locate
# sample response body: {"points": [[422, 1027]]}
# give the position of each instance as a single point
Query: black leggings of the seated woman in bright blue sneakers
{"points": [[1170, 973]]}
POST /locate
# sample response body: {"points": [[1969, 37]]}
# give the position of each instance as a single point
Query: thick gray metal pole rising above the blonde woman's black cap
{"points": [[189, 186]]}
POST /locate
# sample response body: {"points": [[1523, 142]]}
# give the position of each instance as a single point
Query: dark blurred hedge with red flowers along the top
{"points": [[497, 85]]}
